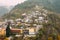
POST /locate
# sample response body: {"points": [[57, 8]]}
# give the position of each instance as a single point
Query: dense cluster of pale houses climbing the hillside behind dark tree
{"points": [[29, 25]]}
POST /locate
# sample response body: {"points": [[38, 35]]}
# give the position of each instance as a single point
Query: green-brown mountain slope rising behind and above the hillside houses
{"points": [[29, 5]]}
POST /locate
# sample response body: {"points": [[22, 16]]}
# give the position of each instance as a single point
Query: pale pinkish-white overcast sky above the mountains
{"points": [[10, 2]]}
